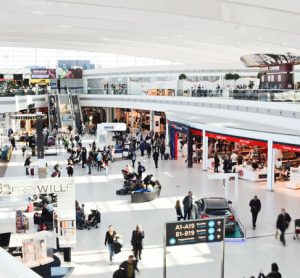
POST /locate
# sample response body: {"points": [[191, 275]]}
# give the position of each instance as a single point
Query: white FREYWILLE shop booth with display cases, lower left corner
{"points": [[37, 217]]}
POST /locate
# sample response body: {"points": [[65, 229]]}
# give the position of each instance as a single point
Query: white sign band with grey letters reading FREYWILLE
{"points": [[35, 186]]}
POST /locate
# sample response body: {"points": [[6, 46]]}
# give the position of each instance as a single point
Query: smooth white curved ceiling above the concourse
{"points": [[190, 31]]}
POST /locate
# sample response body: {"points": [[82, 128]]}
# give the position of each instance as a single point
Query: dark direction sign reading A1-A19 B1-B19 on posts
{"points": [[195, 231]]}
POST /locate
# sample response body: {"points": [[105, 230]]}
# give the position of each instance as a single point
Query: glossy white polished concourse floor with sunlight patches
{"points": [[242, 259]]}
